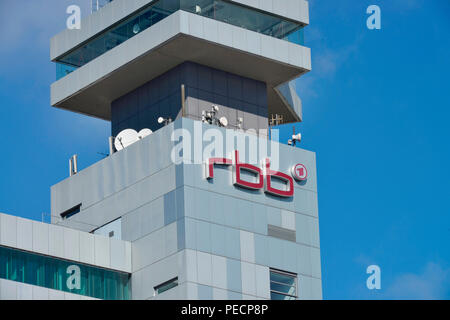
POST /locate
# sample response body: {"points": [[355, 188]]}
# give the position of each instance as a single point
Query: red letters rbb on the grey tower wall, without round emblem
{"points": [[263, 176]]}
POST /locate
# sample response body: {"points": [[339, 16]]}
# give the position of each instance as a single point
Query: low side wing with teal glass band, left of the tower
{"points": [[40, 261]]}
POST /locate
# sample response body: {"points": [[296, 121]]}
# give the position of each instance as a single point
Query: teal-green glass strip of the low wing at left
{"points": [[63, 275]]}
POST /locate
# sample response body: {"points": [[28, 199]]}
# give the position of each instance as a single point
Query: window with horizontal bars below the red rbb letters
{"points": [[283, 285]]}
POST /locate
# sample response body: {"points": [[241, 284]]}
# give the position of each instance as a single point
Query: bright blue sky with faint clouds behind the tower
{"points": [[376, 107]]}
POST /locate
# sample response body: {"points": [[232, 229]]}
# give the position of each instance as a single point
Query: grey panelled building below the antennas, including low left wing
{"points": [[142, 226]]}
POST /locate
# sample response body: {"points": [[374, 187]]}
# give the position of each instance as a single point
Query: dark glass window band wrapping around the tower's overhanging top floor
{"points": [[220, 10]]}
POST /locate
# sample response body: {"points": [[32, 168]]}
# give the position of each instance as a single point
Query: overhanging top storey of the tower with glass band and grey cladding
{"points": [[98, 68]]}
